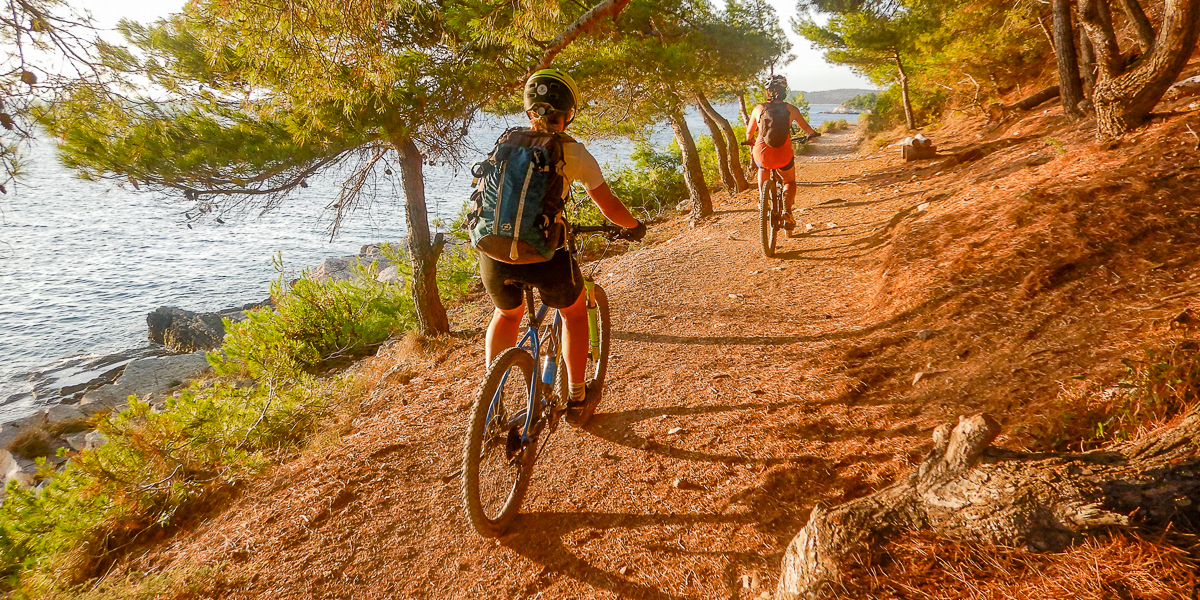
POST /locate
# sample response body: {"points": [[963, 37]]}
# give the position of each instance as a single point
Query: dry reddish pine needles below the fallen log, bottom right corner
{"points": [[1118, 567]]}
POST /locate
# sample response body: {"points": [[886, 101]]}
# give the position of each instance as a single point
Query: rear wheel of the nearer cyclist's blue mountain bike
{"points": [[496, 467]]}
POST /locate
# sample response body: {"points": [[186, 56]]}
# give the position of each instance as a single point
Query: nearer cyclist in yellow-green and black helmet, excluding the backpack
{"points": [[551, 100]]}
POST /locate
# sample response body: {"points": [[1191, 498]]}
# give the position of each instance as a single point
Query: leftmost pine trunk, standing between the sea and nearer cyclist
{"points": [[431, 315]]}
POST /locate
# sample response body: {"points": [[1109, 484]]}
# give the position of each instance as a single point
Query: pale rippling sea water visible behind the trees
{"points": [[83, 262]]}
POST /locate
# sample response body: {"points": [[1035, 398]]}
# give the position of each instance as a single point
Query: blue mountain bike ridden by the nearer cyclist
{"points": [[524, 395]]}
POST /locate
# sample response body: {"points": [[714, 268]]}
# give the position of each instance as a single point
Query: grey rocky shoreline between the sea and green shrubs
{"points": [[182, 340]]}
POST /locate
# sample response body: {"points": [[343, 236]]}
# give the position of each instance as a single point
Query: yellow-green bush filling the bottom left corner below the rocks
{"points": [[153, 467]]}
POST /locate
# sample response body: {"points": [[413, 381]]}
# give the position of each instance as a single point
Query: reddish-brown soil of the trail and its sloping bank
{"points": [[793, 381]]}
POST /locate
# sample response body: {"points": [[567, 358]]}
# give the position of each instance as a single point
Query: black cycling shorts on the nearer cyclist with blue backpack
{"points": [[559, 281]]}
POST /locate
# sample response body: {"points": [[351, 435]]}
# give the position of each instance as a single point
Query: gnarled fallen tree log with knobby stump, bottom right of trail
{"points": [[967, 490]]}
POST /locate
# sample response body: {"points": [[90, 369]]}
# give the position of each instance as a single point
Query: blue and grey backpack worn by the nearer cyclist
{"points": [[520, 193]]}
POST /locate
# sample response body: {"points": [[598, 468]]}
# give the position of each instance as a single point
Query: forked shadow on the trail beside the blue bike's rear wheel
{"points": [[539, 537]]}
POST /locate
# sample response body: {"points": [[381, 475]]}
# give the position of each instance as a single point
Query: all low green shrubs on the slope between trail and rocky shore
{"points": [[214, 434]]}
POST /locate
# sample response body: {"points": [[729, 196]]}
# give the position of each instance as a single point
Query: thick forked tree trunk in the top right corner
{"points": [[1125, 97]]}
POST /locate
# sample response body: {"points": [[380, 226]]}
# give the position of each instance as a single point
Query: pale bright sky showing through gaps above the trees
{"points": [[808, 73]]}
